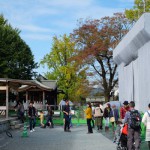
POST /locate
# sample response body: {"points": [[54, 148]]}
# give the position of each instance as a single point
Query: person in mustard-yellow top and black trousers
{"points": [[88, 113]]}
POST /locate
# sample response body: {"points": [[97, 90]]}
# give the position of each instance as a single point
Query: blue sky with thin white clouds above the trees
{"points": [[40, 20]]}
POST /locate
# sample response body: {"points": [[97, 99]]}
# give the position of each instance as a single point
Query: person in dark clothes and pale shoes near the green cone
{"points": [[32, 116]]}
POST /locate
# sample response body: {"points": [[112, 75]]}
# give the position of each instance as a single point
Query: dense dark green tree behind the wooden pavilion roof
{"points": [[16, 58]]}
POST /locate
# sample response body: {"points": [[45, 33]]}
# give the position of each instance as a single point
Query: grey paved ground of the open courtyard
{"points": [[56, 139]]}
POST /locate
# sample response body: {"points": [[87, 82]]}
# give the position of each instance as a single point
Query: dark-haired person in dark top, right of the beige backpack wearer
{"points": [[106, 116]]}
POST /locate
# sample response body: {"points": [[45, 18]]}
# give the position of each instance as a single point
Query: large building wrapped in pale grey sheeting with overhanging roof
{"points": [[133, 58]]}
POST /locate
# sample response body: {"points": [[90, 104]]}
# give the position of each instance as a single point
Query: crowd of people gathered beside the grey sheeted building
{"points": [[125, 122]]}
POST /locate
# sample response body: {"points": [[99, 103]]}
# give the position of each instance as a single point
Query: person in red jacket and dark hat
{"points": [[124, 109]]}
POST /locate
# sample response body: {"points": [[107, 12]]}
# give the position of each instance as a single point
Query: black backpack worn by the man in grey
{"points": [[135, 120]]}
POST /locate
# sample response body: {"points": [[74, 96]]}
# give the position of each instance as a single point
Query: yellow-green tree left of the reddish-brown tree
{"points": [[71, 79]]}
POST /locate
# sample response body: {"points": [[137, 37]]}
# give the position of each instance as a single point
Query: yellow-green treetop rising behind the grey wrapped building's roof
{"points": [[140, 6]]}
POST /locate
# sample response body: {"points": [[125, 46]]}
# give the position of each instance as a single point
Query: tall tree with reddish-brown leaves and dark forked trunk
{"points": [[96, 40]]}
